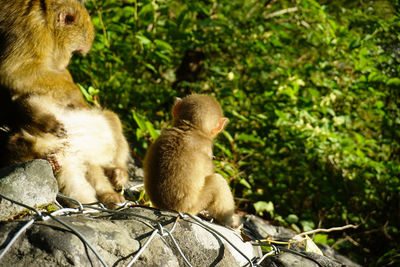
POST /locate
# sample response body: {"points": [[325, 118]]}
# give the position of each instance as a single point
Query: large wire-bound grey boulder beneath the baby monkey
{"points": [[118, 237]]}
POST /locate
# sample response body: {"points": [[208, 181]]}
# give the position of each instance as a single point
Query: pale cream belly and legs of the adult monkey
{"points": [[90, 148]]}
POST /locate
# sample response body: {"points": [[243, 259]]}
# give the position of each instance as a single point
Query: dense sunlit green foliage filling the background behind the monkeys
{"points": [[312, 90]]}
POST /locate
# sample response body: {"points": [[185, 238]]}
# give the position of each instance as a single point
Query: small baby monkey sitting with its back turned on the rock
{"points": [[178, 168]]}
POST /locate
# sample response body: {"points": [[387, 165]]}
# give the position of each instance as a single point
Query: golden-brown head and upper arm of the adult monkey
{"points": [[37, 40]]}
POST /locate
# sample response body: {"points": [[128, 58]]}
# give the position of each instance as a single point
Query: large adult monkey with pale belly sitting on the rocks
{"points": [[40, 106]]}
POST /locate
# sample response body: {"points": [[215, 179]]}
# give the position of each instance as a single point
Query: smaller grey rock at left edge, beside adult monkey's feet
{"points": [[31, 183]]}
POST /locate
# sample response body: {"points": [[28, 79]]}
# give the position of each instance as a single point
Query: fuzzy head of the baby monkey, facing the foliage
{"points": [[202, 112]]}
